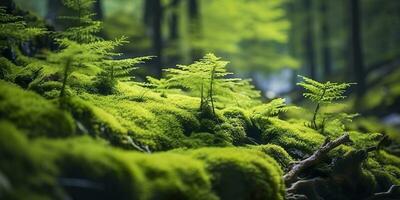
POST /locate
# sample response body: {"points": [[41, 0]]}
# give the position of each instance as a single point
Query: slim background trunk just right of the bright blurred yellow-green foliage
{"points": [[308, 40]]}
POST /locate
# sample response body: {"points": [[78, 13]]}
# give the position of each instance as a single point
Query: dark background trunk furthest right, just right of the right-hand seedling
{"points": [[356, 47]]}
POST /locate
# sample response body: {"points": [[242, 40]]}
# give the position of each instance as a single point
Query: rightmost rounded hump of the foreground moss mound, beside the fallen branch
{"points": [[242, 174]]}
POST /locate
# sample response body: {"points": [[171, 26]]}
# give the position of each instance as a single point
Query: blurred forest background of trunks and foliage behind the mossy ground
{"points": [[270, 41]]}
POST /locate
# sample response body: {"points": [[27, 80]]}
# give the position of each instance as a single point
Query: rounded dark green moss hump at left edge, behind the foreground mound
{"points": [[33, 114]]}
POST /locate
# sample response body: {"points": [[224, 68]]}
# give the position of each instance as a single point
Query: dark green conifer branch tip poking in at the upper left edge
{"points": [[13, 29]]}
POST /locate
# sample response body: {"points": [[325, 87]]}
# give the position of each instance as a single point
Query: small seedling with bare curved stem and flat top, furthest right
{"points": [[322, 93]]}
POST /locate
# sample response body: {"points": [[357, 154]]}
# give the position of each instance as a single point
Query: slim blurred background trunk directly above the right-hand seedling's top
{"points": [[326, 51]]}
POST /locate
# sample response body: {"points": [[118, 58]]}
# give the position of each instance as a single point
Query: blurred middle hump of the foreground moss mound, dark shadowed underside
{"points": [[90, 170]]}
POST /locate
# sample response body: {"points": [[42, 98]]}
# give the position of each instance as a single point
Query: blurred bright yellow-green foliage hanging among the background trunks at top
{"points": [[254, 33]]}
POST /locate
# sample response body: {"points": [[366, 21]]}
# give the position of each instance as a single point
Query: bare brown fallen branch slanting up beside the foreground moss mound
{"points": [[292, 175]]}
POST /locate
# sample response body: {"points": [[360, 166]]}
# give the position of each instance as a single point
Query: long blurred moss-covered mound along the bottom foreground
{"points": [[85, 168]]}
